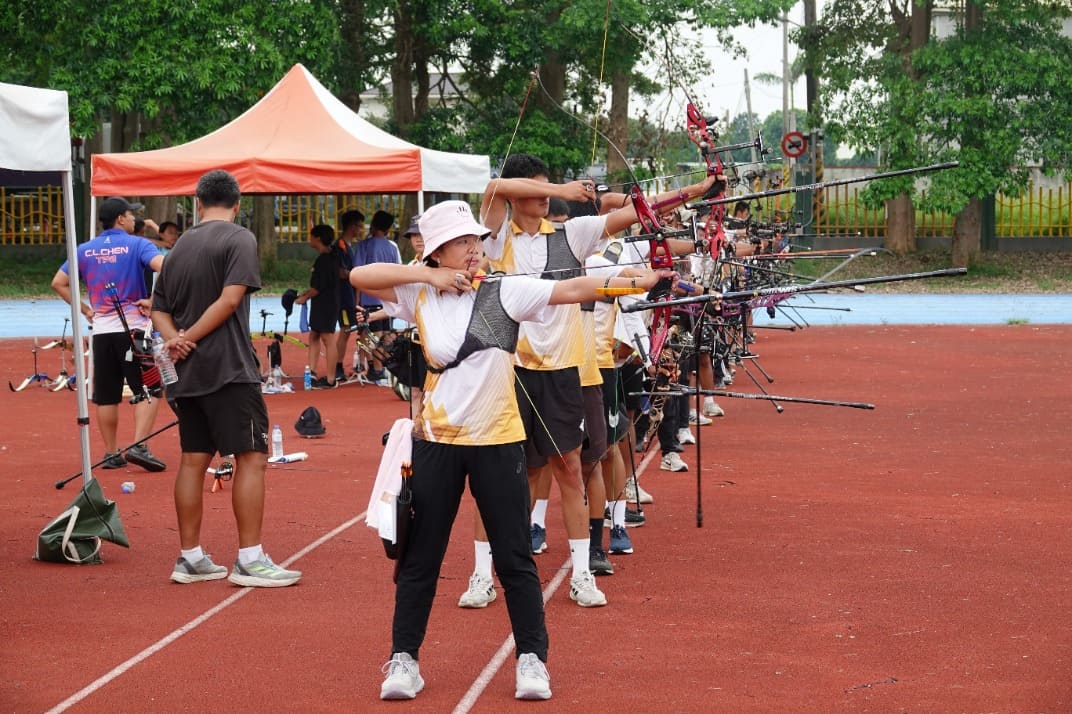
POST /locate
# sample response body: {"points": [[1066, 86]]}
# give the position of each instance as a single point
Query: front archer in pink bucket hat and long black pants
{"points": [[469, 425]]}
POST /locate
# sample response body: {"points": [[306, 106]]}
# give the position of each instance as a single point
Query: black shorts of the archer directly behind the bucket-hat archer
{"points": [[553, 411]]}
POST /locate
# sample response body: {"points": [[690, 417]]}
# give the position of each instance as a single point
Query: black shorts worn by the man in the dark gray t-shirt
{"points": [[232, 421]]}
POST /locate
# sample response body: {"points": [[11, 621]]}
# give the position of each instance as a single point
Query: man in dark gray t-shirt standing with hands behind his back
{"points": [[202, 308]]}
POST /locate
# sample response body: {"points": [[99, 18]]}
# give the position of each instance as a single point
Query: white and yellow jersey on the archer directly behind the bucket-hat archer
{"points": [[558, 344]]}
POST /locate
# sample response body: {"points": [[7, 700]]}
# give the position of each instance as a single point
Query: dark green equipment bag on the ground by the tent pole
{"points": [[76, 535]]}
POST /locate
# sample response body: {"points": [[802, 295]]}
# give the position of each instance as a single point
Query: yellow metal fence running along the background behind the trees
{"points": [[36, 217]]}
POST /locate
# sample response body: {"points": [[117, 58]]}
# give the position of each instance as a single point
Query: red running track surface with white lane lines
{"points": [[915, 558]]}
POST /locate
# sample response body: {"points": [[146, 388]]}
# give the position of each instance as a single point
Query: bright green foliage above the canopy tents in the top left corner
{"points": [[185, 67]]}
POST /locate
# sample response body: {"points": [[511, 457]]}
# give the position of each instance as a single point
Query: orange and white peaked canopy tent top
{"points": [[299, 139]]}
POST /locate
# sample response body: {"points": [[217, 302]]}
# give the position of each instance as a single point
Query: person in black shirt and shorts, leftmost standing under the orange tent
{"points": [[324, 313]]}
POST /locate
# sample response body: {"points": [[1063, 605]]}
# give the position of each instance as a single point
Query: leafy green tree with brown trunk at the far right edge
{"points": [[994, 97]]}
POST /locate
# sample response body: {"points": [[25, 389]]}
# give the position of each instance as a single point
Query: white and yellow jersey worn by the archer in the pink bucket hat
{"points": [[473, 404]]}
